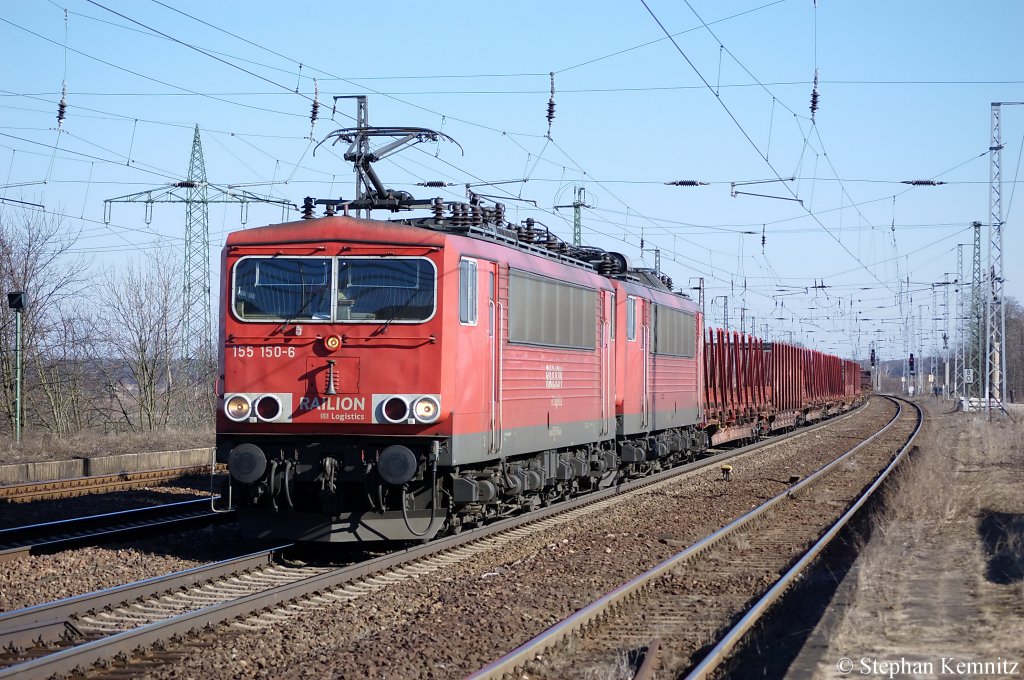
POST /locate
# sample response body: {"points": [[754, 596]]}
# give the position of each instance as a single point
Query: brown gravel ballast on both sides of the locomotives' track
{"points": [[449, 623]]}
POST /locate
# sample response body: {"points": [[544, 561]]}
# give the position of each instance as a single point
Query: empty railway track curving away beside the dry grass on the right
{"points": [[688, 614]]}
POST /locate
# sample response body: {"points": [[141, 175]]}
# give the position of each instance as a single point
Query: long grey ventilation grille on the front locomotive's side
{"points": [[544, 312]]}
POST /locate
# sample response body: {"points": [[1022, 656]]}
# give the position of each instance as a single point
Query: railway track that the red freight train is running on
{"points": [[261, 589]]}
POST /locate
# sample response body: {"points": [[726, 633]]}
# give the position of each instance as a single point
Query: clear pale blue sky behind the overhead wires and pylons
{"points": [[905, 94]]}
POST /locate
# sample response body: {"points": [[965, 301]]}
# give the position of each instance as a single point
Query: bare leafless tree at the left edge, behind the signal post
{"points": [[36, 258]]}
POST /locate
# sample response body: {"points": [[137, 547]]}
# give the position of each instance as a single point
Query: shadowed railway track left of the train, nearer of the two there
{"points": [[49, 538]]}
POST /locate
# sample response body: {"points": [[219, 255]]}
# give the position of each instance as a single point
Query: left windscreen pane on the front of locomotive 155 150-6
{"points": [[283, 288]]}
